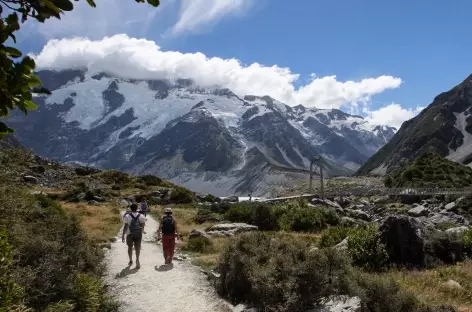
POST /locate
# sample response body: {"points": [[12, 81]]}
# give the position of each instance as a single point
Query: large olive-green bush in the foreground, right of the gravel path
{"points": [[279, 273]]}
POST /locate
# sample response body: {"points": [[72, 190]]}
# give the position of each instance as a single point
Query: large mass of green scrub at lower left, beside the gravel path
{"points": [[50, 250]]}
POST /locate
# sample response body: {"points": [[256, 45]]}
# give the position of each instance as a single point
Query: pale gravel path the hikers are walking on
{"points": [[156, 287]]}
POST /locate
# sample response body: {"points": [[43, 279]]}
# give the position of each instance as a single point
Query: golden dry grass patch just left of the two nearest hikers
{"points": [[101, 222]]}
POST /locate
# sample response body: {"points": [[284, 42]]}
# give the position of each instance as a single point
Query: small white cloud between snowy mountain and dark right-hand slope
{"points": [[393, 115]]}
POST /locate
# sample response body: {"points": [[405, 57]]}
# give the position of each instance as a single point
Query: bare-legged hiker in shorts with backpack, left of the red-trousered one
{"points": [[133, 229]]}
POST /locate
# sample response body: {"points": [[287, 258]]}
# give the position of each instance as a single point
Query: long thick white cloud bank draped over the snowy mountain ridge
{"points": [[143, 59]]}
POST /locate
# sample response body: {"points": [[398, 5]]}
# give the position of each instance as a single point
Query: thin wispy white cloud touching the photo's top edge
{"points": [[195, 14]]}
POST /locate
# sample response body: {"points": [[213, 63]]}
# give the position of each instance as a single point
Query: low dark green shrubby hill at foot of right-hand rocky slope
{"points": [[431, 170]]}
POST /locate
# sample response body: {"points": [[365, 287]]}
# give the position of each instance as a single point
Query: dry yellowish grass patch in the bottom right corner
{"points": [[429, 286]]}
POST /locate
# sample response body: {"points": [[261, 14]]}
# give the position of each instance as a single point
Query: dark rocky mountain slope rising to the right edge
{"points": [[445, 127]]}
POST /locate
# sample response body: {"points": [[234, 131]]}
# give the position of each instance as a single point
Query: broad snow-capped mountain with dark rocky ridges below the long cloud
{"points": [[208, 139]]}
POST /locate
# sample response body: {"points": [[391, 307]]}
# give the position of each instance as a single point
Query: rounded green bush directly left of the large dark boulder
{"points": [[366, 249]]}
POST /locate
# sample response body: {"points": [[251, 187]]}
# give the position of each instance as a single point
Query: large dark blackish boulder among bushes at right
{"points": [[404, 241]]}
